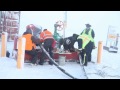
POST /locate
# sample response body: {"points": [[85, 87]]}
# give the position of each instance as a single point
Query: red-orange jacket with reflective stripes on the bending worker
{"points": [[45, 35]]}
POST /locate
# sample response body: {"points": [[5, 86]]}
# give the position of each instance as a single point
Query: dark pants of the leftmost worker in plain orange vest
{"points": [[34, 54]]}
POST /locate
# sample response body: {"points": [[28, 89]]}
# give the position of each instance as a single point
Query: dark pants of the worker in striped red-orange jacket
{"points": [[48, 47]]}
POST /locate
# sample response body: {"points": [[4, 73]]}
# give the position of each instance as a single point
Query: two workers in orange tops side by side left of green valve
{"points": [[46, 37]]}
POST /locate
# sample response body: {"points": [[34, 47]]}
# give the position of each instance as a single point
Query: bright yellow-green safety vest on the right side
{"points": [[86, 38]]}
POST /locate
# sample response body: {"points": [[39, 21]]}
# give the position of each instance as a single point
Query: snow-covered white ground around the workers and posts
{"points": [[108, 69]]}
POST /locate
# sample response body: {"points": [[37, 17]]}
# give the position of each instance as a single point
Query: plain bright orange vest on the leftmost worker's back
{"points": [[29, 44]]}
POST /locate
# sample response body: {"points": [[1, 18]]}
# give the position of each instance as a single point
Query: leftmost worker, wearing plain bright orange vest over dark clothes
{"points": [[30, 47]]}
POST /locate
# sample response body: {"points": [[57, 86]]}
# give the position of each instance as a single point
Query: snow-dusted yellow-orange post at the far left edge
{"points": [[4, 44]]}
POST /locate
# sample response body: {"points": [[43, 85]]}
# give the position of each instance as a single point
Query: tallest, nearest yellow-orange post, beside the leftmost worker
{"points": [[21, 52]]}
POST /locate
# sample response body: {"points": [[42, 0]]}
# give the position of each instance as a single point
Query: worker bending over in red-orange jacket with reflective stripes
{"points": [[47, 38]]}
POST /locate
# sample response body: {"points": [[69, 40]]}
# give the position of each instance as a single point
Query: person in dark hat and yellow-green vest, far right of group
{"points": [[86, 44]]}
